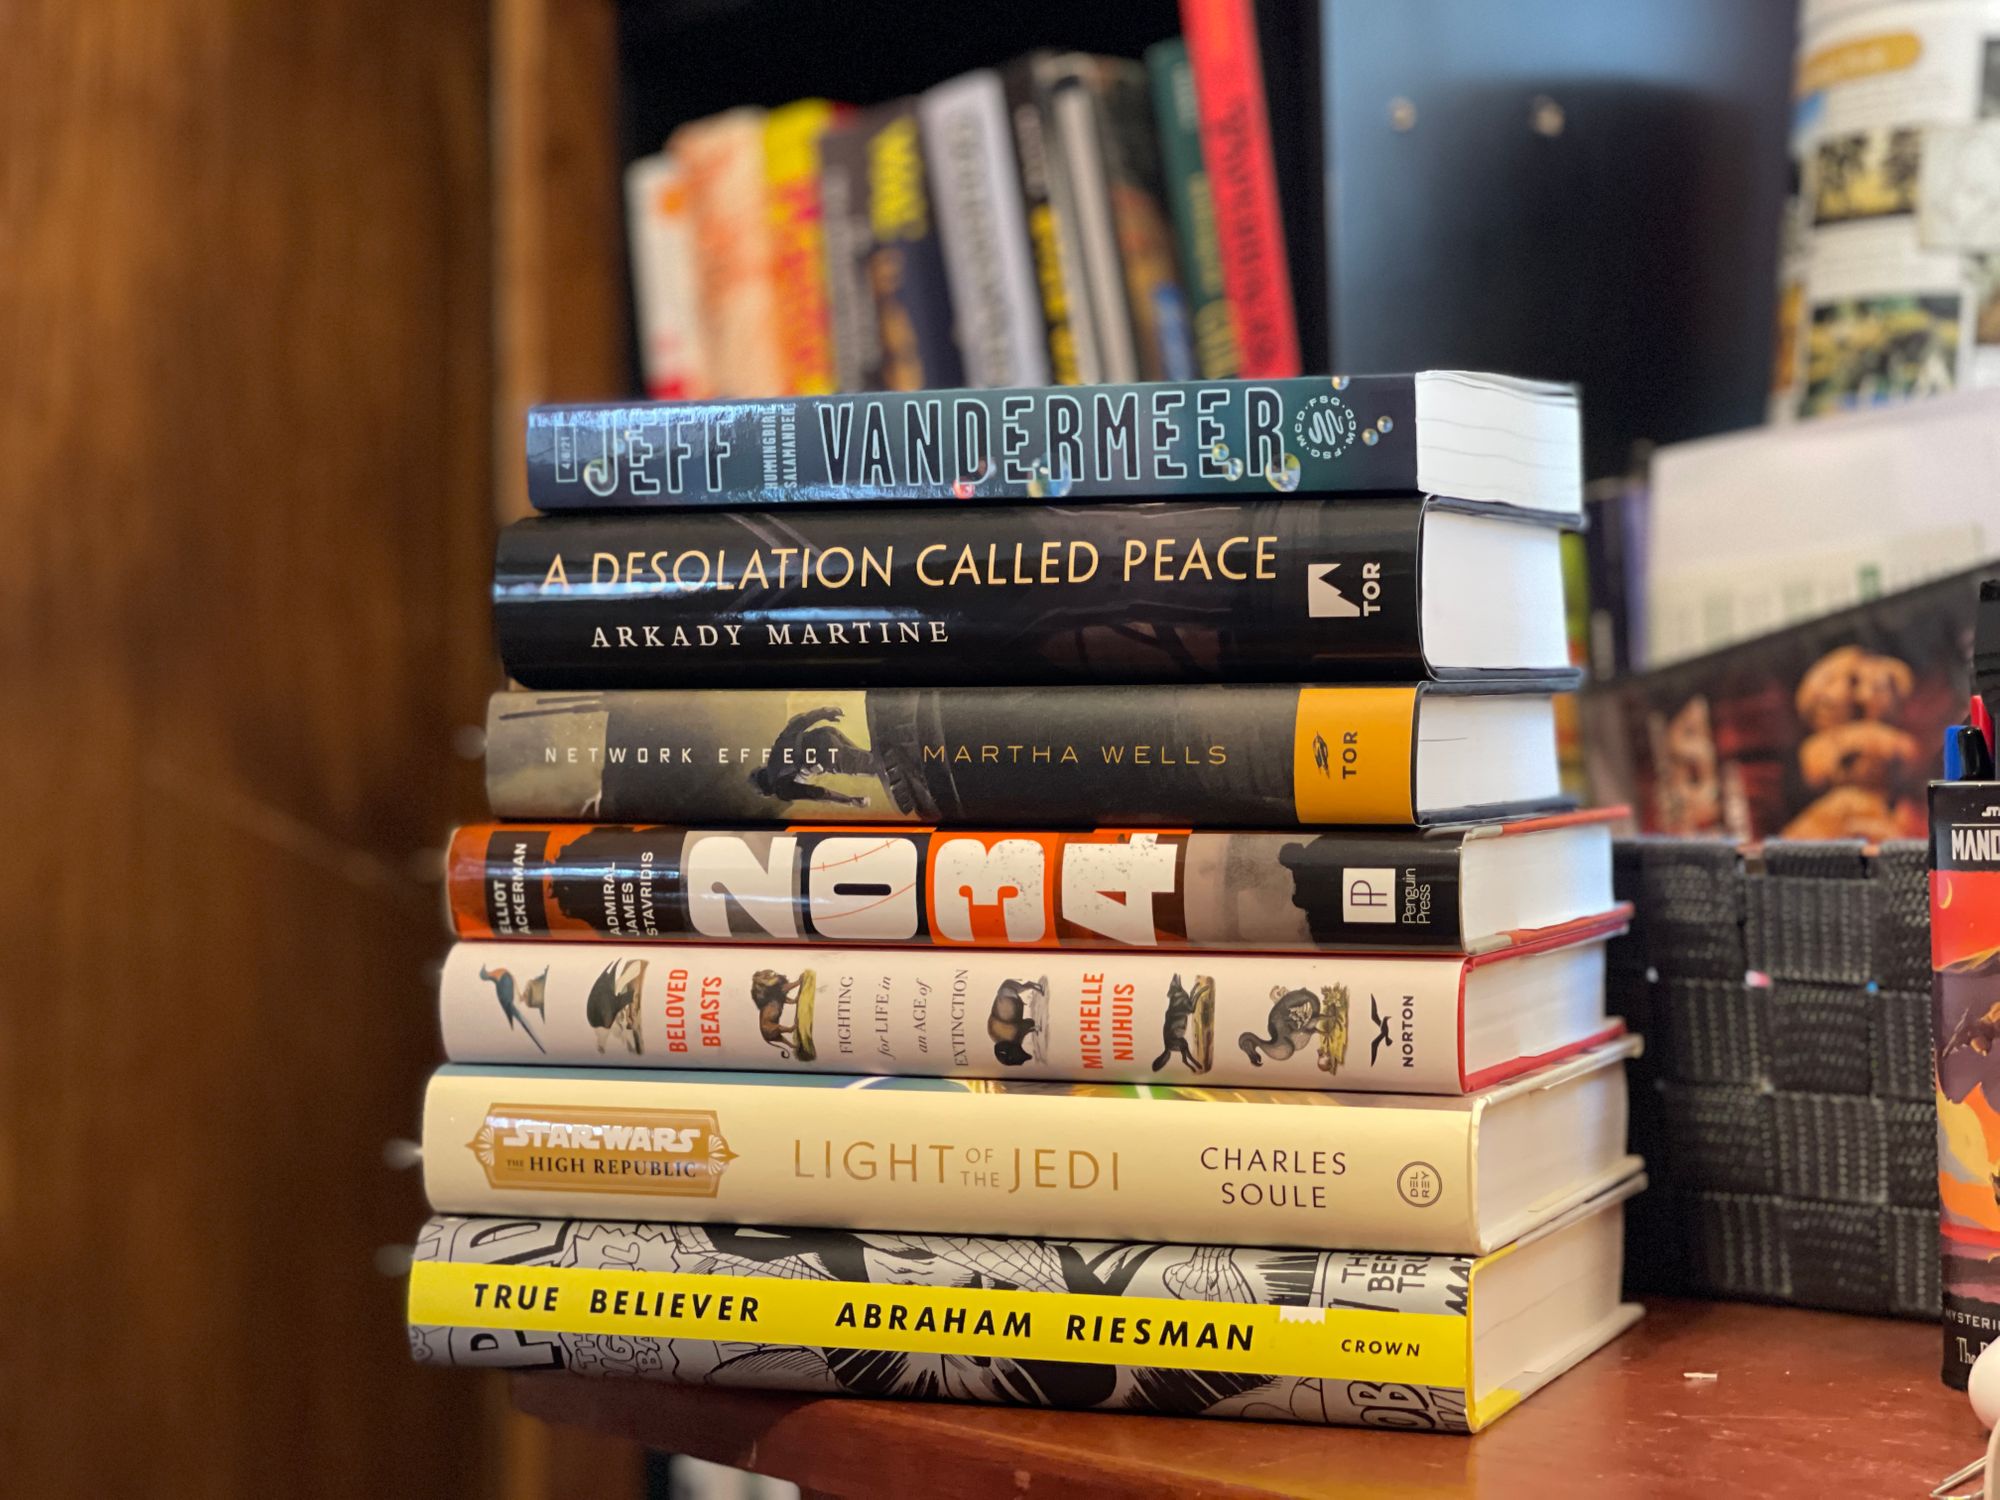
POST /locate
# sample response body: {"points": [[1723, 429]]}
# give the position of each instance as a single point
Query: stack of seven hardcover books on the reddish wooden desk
{"points": [[1039, 897]]}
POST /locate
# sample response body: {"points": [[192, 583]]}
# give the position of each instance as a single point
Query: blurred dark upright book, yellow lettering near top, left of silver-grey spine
{"points": [[907, 261]]}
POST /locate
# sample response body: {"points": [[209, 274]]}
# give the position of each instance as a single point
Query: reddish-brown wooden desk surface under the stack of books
{"points": [[1803, 1403]]}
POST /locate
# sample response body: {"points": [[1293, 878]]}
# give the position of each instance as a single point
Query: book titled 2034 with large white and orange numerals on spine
{"points": [[1455, 889]]}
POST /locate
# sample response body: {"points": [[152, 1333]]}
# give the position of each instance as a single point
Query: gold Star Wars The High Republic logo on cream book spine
{"points": [[667, 1153]]}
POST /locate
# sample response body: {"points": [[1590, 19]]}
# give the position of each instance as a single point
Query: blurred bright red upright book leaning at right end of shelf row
{"points": [[1229, 87]]}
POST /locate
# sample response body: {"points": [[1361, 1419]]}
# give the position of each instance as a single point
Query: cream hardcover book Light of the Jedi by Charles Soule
{"points": [[1311, 1169]]}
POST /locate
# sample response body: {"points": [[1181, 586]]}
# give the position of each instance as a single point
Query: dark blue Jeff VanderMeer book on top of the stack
{"points": [[1447, 433]]}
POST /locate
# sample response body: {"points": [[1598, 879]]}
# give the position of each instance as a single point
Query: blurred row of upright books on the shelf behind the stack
{"points": [[1067, 217]]}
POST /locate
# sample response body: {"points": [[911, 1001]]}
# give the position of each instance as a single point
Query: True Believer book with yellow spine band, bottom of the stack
{"points": [[1369, 1339]]}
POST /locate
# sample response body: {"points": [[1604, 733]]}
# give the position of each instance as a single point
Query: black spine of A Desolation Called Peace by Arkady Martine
{"points": [[1227, 591]]}
